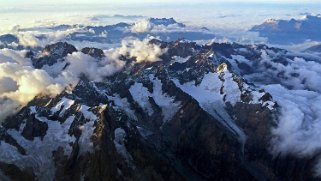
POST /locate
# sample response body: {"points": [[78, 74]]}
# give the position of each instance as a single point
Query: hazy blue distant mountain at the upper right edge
{"points": [[290, 31]]}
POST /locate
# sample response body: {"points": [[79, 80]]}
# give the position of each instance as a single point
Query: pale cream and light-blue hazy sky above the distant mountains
{"points": [[236, 14]]}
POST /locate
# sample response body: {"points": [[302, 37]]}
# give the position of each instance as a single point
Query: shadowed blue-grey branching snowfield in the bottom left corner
{"points": [[39, 152]]}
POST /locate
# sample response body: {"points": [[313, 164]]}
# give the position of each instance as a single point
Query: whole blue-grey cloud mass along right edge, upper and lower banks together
{"points": [[296, 87]]}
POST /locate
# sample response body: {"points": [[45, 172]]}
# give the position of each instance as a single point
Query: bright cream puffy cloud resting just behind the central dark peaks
{"points": [[142, 51]]}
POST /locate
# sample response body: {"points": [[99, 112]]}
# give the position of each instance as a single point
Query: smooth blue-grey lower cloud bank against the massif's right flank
{"points": [[298, 131]]}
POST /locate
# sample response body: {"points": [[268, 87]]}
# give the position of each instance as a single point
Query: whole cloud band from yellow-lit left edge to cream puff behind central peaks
{"points": [[20, 82]]}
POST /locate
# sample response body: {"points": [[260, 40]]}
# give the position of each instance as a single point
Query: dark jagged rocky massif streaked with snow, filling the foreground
{"points": [[176, 119]]}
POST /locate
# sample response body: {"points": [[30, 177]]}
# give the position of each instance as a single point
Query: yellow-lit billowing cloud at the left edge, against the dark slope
{"points": [[20, 83]]}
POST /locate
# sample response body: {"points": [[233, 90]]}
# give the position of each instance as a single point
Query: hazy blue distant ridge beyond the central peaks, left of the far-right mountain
{"points": [[115, 33]]}
